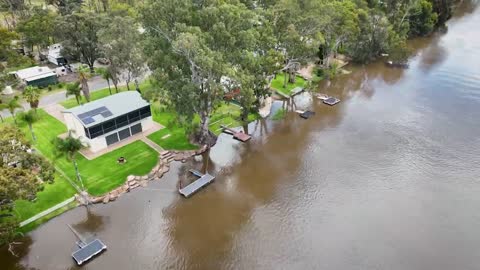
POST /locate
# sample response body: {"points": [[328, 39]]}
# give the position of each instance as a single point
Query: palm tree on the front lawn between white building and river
{"points": [[68, 148]]}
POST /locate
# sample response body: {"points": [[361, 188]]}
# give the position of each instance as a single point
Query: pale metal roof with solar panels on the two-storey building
{"points": [[104, 109]]}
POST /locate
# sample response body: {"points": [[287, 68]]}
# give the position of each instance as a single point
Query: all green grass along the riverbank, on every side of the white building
{"points": [[141, 157]]}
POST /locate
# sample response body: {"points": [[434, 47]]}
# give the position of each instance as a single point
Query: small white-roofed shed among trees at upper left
{"points": [[37, 76]]}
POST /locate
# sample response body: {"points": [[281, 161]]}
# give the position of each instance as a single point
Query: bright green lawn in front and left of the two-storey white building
{"points": [[100, 175]]}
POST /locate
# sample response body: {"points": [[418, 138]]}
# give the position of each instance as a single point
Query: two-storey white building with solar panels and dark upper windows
{"points": [[106, 121]]}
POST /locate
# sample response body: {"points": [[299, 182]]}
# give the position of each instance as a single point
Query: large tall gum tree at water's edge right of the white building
{"points": [[191, 54]]}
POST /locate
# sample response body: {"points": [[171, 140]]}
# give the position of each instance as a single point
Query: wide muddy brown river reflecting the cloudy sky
{"points": [[387, 179]]}
